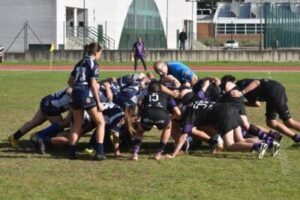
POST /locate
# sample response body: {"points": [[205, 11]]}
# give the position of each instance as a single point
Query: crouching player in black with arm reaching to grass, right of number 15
{"points": [[228, 122]]}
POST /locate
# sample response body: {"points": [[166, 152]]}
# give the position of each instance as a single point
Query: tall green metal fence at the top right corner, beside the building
{"points": [[282, 27]]}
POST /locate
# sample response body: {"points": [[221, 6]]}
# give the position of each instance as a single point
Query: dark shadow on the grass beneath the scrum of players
{"points": [[147, 148]]}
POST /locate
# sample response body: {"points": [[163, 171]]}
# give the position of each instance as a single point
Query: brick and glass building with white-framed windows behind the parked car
{"points": [[241, 21]]}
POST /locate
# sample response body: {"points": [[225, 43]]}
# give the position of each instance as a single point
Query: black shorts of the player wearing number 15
{"points": [[154, 116]]}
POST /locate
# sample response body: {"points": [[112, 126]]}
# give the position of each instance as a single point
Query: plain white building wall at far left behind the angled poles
{"points": [[40, 15]]}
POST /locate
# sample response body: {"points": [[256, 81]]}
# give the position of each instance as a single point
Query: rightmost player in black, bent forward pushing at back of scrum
{"points": [[273, 93]]}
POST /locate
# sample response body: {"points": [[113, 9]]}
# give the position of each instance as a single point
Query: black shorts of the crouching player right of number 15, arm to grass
{"points": [[226, 117]]}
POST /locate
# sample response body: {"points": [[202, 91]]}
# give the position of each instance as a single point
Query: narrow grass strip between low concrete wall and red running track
{"points": [[150, 63]]}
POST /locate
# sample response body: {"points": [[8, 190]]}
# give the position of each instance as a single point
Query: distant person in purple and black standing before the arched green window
{"points": [[139, 53]]}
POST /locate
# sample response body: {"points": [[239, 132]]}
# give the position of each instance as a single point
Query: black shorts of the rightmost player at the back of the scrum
{"points": [[277, 104]]}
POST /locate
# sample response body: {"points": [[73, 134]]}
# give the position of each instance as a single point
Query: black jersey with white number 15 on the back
{"points": [[158, 100]]}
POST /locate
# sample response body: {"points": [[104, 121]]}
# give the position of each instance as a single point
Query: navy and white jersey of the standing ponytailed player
{"points": [[84, 71]]}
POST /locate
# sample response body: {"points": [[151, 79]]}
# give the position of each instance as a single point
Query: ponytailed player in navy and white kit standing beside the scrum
{"points": [[83, 80]]}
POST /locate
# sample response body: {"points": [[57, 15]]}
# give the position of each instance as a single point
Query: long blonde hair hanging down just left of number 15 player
{"points": [[131, 111]]}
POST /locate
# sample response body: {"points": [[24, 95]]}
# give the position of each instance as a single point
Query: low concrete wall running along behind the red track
{"points": [[204, 55]]}
